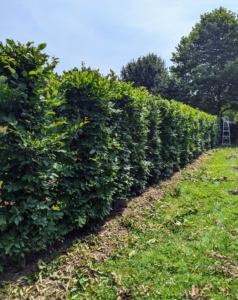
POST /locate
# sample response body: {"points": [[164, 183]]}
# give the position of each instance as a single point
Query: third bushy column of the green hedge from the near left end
{"points": [[129, 129]]}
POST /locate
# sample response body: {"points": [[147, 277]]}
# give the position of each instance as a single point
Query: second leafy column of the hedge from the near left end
{"points": [[86, 182]]}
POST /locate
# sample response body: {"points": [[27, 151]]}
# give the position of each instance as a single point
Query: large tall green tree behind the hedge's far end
{"points": [[205, 70]]}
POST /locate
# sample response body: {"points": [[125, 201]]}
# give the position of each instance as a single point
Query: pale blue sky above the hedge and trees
{"points": [[105, 34]]}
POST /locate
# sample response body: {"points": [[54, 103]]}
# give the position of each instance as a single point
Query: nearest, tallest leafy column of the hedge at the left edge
{"points": [[27, 218]]}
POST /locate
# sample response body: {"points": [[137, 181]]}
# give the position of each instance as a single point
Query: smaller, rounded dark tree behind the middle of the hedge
{"points": [[148, 71]]}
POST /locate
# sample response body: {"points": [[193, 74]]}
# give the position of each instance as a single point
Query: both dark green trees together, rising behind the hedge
{"points": [[205, 66]]}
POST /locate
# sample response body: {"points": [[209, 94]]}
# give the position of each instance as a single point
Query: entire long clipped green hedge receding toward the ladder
{"points": [[73, 144]]}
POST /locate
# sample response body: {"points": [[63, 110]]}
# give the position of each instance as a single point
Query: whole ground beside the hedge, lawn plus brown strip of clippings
{"points": [[179, 246]]}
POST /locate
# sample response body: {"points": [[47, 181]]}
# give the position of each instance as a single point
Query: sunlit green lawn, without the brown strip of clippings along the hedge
{"points": [[195, 243]]}
